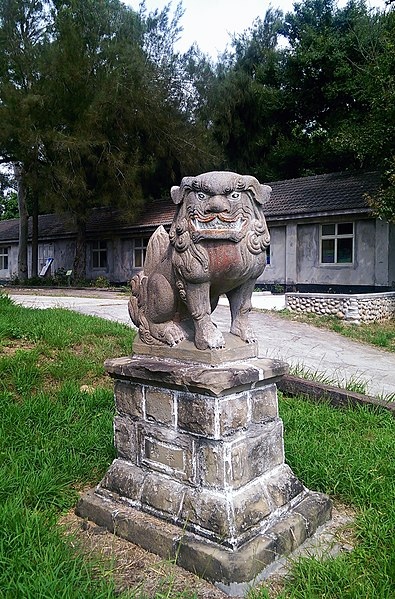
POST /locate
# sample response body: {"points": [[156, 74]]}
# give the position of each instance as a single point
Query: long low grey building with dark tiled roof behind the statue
{"points": [[323, 238]]}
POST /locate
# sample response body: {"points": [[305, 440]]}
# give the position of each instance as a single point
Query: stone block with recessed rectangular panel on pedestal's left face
{"points": [[166, 450]]}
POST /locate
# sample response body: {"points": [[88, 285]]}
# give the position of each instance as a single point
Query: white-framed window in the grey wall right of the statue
{"points": [[337, 243]]}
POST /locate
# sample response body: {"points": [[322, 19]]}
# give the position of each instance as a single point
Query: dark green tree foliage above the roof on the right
{"points": [[321, 100]]}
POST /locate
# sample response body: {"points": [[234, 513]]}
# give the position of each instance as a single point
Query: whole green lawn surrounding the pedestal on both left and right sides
{"points": [[56, 439]]}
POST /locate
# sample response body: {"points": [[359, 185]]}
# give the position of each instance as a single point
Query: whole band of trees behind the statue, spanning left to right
{"points": [[97, 108]]}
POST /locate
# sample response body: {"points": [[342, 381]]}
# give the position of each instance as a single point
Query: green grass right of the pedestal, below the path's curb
{"points": [[349, 455]]}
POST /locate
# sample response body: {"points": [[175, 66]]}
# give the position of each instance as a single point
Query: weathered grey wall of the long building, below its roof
{"points": [[294, 257]]}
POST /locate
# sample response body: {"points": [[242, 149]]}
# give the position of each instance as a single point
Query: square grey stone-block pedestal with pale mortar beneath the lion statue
{"points": [[200, 474]]}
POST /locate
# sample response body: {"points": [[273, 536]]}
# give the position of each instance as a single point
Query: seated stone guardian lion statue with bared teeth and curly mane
{"points": [[216, 245]]}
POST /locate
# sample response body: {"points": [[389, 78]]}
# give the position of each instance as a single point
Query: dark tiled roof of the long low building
{"points": [[308, 196]]}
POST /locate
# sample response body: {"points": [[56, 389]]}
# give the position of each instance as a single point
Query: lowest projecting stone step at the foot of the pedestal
{"points": [[232, 570]]}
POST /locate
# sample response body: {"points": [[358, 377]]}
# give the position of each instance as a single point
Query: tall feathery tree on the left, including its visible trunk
{"points": [[100, 115]]}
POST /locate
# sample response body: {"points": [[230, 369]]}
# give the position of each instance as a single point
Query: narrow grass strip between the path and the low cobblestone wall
{"points": [[379, 334]]}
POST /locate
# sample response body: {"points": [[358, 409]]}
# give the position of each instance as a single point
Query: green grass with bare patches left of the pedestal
{"points": [[54, 440]]}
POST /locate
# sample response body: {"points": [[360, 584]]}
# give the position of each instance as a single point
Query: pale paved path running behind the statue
{"points": [[314, 350]]}
